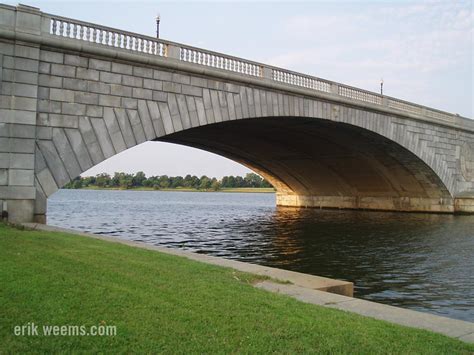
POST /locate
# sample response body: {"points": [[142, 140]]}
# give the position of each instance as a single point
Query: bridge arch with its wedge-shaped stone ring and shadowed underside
{"points": [[339, 160]]}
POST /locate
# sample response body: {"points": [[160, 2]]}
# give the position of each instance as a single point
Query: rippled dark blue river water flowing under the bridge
{"points": [[423, 262]]}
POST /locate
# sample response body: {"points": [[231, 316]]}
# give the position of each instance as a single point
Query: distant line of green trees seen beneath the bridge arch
{"points": [[129, 181]]}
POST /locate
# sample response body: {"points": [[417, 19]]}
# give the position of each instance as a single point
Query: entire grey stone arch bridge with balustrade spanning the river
{"points": [[74, 94]]}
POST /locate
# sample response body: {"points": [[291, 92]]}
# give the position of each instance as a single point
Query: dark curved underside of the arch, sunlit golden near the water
{"points": [[323, 164]]}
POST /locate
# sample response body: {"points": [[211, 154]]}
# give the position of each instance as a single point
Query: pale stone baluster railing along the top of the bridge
{"points": [[146, 45]]}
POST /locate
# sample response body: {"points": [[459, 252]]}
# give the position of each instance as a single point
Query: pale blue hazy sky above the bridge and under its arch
{"points": [[423, 50]]}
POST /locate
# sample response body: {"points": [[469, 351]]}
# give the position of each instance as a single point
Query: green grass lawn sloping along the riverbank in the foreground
{"points": [[164, 303]]}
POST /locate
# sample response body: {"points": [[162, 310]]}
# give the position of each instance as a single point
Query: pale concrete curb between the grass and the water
{"points": [[309, 289]]}
